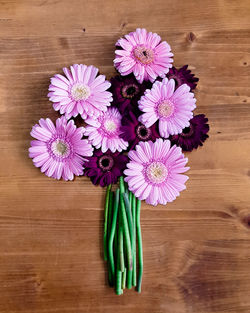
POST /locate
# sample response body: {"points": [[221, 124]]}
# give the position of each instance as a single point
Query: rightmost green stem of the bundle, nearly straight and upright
{"points": [[140, 253]]}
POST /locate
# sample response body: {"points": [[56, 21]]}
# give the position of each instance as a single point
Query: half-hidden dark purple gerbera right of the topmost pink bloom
{"points": [[183, 76]]}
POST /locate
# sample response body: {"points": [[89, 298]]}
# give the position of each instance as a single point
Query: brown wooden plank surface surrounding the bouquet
{"points": [[197, 249]]}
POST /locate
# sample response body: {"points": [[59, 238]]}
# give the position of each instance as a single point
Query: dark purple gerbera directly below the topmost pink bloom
{"points": [[127, 91]]}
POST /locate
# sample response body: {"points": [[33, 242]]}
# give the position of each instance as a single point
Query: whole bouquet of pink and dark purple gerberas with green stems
{"points": [[136, 128]]}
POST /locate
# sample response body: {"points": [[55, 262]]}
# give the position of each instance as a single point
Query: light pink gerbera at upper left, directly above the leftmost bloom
{"points": [[80, 92]]}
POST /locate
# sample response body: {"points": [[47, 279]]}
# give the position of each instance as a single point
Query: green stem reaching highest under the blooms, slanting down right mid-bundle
{"points": [[126, 233]]}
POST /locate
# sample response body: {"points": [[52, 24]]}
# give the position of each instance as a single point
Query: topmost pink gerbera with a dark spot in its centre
{"points": [[143, 54]]}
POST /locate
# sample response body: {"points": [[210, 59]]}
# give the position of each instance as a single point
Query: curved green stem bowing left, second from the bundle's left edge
{"points": [[112, 235]]}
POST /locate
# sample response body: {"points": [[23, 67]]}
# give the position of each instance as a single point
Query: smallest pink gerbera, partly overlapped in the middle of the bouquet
{"points": [[104, 132]]}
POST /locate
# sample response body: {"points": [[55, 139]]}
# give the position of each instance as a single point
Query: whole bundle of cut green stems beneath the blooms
{"points": [[122, 239]]}
